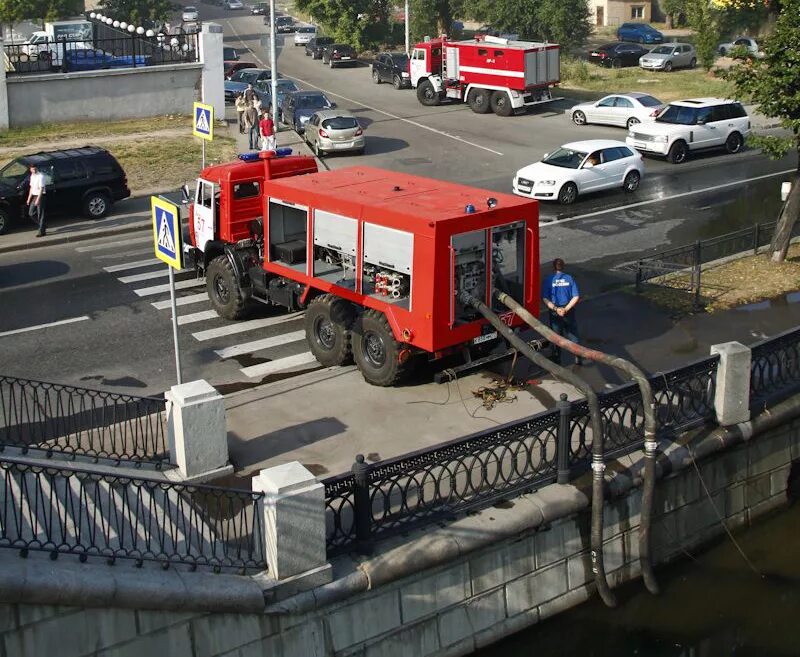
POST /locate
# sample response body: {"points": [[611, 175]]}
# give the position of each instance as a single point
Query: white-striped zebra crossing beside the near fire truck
{"points": [[272, 342]]}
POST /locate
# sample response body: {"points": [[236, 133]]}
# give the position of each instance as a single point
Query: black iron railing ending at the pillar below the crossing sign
{"points": [[61, 419]]}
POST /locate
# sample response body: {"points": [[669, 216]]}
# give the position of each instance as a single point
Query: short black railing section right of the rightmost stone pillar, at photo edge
{"points": [[775, 368]]}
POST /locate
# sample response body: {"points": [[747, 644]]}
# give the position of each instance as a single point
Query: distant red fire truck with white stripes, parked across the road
{"points": [[490, 73]]}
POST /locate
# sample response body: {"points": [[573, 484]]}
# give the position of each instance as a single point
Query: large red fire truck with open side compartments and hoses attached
{"points": [[376, 258]]}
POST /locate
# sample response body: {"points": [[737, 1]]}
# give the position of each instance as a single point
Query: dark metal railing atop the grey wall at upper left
{"points": [[124, 51]]}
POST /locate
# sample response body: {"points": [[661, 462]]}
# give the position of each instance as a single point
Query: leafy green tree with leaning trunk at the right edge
{"points": [[773, 84]]}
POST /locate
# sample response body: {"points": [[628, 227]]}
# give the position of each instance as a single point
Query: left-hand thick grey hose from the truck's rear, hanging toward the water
{"points": [[598, 464]]}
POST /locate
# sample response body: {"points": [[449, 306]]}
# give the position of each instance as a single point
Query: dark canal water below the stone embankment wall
{"points": [[712, 604]]}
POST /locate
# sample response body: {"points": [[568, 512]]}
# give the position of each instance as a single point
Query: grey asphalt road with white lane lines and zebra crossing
{"points": [[106, 290]]}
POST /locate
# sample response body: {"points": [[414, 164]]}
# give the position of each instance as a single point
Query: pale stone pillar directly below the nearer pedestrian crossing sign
{"points": [[198, 439]]}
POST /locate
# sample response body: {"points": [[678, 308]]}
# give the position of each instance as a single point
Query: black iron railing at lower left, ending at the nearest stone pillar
{"points": [[77, 512]]}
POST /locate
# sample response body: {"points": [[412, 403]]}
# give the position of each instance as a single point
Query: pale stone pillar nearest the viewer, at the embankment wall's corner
{"points": [[294, 519]]}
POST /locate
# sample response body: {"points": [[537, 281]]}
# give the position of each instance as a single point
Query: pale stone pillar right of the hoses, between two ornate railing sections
{"points": [[732, 393]]}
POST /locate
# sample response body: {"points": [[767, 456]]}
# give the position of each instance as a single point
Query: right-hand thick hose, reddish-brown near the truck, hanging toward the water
{"points": [[648, 404]]}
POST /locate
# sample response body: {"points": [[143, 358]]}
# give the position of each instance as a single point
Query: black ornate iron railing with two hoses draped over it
{"points": [[433, 484]]}
